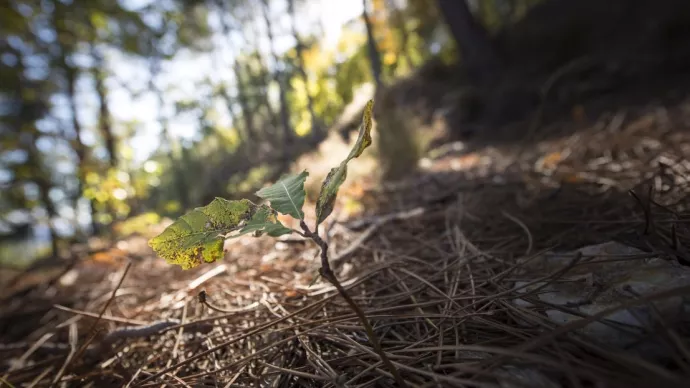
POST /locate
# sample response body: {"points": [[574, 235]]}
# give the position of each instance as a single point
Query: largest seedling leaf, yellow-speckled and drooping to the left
{"points": [[198, 236]]}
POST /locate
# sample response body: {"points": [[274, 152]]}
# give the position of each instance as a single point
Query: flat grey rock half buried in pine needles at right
{"points": [[607, 275]]}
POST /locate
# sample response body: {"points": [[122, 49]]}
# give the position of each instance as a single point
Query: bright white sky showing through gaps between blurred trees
{"points": [[183, 75]]}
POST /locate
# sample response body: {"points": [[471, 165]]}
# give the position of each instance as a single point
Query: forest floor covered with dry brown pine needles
{"points": [[442, 262]]}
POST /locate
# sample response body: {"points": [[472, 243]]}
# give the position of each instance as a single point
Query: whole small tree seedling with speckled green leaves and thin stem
{"points": [[198, 236]]}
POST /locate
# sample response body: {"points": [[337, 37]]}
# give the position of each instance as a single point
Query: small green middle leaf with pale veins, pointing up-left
{"points": [[287, 195]]}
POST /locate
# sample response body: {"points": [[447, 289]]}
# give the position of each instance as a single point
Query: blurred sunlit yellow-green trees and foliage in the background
{"points": [[70, 157]]}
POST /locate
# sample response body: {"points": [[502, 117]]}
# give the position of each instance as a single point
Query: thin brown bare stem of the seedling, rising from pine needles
{"points": [[328, 274]]}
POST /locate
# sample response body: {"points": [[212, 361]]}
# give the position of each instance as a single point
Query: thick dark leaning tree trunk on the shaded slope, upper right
{"points": [[477, 53]]}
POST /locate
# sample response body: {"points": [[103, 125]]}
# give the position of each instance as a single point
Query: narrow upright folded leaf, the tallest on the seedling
{"points": [[337, 175]]}
